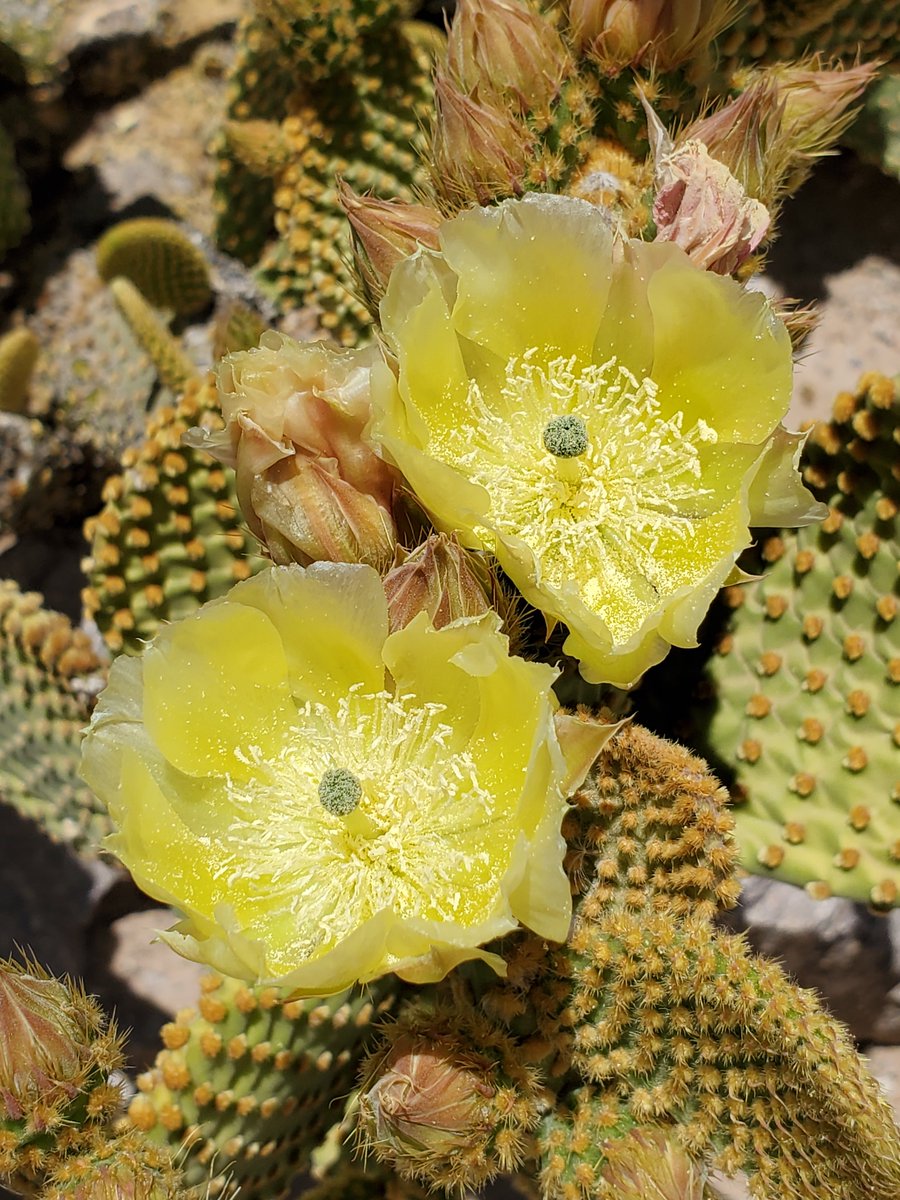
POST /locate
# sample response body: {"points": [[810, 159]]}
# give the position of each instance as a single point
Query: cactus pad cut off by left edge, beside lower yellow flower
{"points": [[49, 671]]}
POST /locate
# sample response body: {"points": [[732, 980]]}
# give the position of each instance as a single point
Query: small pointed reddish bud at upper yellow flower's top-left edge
{"points": [[385, 233]]}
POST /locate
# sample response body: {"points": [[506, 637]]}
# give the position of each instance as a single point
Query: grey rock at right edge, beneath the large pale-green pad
{"points": [[835, 946]]}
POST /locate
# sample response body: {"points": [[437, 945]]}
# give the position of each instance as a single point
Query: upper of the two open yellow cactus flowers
{"points": [[602, 416]]}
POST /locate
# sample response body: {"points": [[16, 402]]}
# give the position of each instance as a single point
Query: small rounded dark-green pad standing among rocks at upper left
{"points": [[160, 260]]}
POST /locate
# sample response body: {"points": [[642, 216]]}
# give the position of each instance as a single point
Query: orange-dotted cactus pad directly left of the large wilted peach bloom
{"points": [[170, 536]]}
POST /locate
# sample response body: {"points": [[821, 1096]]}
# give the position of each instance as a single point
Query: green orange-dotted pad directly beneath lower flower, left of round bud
{"points": [[251, 1084]]}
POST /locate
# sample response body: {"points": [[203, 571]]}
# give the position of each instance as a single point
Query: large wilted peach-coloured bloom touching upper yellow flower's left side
{"points": [[309, 488]]}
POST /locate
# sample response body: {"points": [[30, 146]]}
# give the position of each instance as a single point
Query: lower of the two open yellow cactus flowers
{"points": [[326, 802]]}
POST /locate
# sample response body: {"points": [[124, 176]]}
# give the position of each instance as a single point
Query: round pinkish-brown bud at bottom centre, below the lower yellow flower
{"points": [[427, 1103]]}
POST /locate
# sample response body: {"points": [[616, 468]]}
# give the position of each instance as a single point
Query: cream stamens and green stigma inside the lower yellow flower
{"points": [[404, 824]]}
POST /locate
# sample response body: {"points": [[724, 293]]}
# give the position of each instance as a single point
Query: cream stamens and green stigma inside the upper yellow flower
{"points": [[583, 466]]}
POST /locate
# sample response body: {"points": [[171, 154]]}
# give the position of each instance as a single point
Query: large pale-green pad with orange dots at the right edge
{"points": [[806, 680]]}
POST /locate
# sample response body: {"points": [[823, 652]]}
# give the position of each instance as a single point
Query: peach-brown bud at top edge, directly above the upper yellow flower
{"points": [[502, 46]]}
